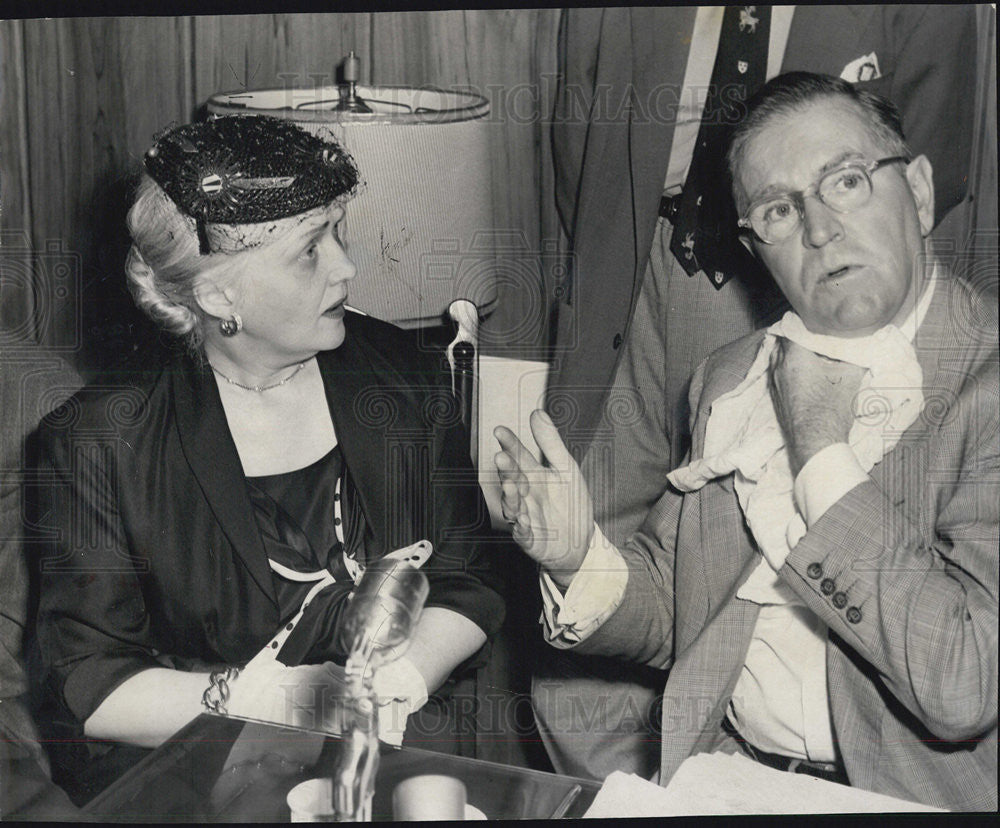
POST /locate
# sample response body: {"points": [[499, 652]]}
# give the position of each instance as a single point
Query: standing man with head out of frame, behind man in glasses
{"points": [[633, 145]]}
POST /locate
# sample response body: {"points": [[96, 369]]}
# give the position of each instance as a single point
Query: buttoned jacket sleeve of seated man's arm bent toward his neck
{"points": [[910, 583]]}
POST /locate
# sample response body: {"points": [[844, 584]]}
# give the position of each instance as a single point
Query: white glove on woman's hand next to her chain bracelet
{"points": [[305, 696]]}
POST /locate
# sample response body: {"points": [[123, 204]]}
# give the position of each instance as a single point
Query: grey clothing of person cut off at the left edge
{"points": [[33, 381]]}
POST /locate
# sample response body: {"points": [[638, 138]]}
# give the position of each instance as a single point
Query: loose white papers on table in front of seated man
{"points": [[719, 783]]}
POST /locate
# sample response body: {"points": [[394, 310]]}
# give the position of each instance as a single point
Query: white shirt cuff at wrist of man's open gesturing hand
{"points": [[596, 591]]}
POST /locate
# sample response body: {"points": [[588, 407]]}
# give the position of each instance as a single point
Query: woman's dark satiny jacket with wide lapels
{"points": [[150, 551]]}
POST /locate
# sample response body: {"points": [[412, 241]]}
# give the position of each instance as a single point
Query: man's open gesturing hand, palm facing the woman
{"points": [[548, 507]]}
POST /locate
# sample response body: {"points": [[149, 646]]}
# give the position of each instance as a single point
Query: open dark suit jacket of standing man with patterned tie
{"points": [[613, 126]]}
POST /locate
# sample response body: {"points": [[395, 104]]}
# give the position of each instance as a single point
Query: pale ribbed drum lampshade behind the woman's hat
{"points": [[421, 231]]}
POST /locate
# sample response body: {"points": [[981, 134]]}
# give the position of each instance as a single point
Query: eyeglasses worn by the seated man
{"points": [[843, 189]]}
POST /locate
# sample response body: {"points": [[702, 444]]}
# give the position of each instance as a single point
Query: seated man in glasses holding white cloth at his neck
{"points": [[821, 576]]}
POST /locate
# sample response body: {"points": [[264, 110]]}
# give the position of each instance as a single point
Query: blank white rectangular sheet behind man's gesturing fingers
{"points": [[509, 390]]}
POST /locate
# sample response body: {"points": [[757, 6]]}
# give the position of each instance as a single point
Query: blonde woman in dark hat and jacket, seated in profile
{"points": [[241, 490]]}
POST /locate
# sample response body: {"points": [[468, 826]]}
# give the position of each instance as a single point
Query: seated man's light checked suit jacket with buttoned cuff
{"points": [[913, 683]]}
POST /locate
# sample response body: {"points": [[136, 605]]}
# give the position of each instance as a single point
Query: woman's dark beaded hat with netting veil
{"points": [[245, 179]]}
